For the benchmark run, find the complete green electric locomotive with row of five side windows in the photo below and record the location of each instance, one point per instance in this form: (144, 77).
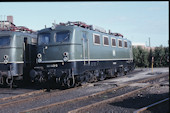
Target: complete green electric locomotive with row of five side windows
(74, 52)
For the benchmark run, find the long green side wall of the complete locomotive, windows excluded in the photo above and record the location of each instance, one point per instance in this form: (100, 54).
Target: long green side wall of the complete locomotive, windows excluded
(91, 56)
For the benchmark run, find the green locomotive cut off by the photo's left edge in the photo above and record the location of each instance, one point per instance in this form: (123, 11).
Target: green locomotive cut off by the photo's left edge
(17, 54)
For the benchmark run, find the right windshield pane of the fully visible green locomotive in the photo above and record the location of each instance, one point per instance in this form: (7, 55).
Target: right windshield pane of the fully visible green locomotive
(62, 36)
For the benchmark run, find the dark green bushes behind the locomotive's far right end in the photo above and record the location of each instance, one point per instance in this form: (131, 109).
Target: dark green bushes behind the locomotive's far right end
(143, 57)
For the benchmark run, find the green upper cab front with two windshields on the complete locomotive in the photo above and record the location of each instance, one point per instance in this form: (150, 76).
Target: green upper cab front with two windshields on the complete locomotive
(54, 42)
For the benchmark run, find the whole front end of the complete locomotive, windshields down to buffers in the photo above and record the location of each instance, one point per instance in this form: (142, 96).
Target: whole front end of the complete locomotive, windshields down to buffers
(53, 53)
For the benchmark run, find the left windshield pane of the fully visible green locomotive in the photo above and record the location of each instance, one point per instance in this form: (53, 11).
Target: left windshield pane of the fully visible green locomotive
(43, 38)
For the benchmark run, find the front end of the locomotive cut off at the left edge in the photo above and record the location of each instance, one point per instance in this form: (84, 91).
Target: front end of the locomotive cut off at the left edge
(10, 61)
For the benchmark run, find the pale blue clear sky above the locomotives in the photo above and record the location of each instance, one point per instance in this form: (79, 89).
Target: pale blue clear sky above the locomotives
(137, 21)
